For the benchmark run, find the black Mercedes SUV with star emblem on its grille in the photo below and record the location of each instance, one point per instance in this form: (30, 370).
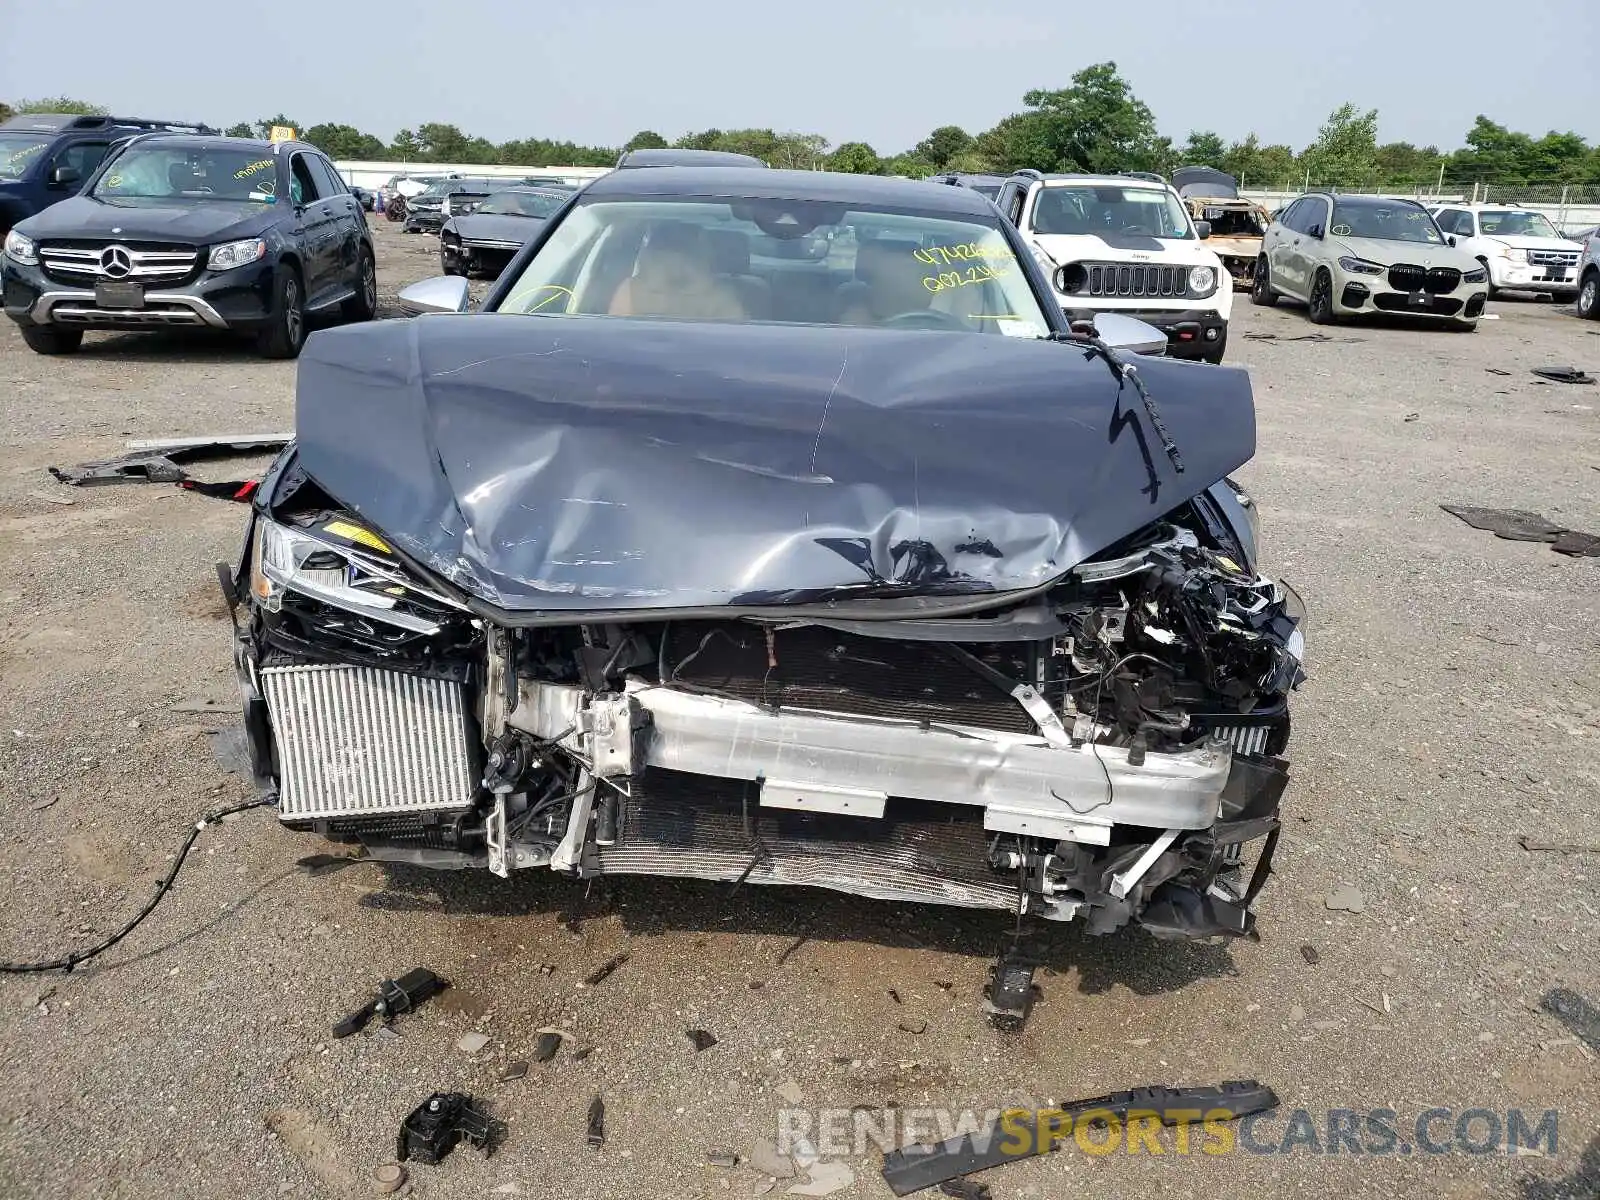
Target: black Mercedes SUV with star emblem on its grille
(194, 231)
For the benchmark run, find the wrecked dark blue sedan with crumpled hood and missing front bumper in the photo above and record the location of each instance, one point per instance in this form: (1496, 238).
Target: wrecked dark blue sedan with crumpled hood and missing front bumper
(852, 567)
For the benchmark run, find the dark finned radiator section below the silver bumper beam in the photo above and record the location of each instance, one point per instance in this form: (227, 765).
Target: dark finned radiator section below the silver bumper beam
(700, 828)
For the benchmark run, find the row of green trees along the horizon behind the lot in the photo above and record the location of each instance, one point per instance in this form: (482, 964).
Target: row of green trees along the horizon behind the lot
(1095, 124)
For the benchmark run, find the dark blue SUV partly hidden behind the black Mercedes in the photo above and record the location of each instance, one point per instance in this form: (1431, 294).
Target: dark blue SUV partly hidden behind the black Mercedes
(47, 156)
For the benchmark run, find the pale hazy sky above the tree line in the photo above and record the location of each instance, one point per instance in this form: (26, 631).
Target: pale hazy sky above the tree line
(849, 70)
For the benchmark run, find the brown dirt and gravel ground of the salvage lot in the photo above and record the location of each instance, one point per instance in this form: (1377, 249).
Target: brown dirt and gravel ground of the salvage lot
(1454, 706)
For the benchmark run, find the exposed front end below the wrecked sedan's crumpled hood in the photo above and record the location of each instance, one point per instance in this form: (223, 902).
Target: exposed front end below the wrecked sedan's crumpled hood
(1106, 750)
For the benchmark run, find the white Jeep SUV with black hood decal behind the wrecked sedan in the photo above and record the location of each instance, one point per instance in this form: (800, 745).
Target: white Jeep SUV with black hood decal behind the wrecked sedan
(1126, 244)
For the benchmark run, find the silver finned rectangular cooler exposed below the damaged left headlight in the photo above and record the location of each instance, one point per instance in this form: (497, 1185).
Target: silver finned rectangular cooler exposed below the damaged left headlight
(356, 742)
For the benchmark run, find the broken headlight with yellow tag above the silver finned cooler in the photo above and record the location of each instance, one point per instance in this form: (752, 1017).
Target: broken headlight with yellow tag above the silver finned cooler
(287, 559)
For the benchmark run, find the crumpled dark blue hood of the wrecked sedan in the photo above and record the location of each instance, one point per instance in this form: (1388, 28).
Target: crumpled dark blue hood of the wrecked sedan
(591, 465)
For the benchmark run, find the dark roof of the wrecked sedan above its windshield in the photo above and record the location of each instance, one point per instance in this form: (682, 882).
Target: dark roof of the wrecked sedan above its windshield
(772, 185)
